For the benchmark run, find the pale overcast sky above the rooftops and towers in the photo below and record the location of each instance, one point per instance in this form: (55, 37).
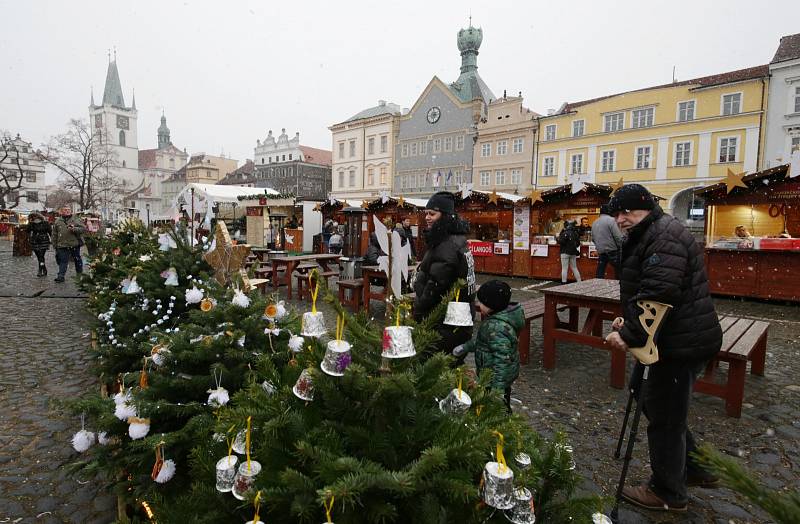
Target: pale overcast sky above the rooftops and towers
(227, 72)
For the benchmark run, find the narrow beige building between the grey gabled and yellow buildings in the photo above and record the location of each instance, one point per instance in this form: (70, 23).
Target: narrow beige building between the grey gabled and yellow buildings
(503, 157)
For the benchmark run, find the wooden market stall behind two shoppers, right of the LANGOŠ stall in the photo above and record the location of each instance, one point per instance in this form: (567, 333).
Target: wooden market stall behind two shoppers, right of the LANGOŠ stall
(546, 222)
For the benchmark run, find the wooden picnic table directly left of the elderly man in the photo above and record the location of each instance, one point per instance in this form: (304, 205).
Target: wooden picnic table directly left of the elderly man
(601, 298)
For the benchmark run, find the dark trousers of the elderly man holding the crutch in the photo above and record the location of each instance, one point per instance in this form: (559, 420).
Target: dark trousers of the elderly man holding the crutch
(666, 406)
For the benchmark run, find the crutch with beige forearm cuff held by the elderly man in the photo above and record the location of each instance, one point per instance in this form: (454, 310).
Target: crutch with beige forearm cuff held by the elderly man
(651, 318)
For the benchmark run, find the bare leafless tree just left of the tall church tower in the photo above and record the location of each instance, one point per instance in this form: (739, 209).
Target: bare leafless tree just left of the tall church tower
(85, 163)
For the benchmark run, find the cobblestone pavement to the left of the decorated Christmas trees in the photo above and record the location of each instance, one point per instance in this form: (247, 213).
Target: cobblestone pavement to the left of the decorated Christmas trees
(43, 349)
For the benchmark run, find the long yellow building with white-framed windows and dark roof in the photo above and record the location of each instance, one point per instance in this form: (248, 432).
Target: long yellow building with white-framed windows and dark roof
(670, 138)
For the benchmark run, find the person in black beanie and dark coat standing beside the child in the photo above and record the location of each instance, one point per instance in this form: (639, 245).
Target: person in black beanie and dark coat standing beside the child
(446, 260)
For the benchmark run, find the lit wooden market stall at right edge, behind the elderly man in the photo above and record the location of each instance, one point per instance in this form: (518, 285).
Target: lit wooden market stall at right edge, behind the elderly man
(753, 236)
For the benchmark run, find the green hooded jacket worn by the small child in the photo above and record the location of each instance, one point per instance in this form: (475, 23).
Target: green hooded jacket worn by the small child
(495, 345)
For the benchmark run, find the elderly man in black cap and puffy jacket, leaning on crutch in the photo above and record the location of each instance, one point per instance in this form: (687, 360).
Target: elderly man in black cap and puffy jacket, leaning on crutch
(662, 262)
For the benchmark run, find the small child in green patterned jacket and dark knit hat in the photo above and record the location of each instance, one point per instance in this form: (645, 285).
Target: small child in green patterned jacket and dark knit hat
(495, 345)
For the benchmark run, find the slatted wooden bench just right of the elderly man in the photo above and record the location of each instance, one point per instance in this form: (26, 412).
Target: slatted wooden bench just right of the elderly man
(743, 340)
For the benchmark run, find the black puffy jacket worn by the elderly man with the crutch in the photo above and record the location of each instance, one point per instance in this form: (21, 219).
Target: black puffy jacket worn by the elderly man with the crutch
(661, 261)
